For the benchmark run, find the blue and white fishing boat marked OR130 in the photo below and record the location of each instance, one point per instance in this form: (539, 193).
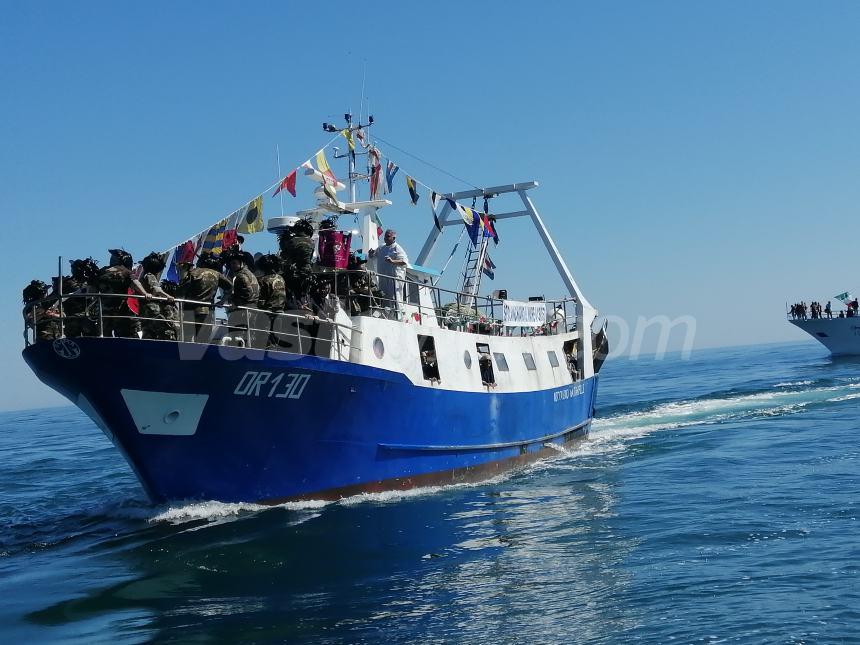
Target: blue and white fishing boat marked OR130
(382, 391)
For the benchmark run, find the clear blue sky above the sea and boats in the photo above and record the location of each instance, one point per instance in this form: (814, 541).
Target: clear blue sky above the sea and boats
(694, 158)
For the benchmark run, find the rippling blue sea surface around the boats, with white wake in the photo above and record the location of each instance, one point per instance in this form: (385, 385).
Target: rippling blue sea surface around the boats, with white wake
(716, 500)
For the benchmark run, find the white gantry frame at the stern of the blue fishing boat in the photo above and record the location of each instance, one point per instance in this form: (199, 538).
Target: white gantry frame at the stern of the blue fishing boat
(585, 313)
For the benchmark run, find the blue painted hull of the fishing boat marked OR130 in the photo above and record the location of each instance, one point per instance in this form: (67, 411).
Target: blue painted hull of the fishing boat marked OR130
(279, 426)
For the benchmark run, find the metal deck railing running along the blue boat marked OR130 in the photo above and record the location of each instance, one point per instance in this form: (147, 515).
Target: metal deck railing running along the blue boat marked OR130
(299, 331)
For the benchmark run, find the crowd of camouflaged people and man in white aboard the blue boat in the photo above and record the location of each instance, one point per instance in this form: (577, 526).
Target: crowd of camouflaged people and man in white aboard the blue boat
(140, 302)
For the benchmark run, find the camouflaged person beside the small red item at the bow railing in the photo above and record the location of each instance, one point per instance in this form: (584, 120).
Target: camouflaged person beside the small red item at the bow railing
(118, 318)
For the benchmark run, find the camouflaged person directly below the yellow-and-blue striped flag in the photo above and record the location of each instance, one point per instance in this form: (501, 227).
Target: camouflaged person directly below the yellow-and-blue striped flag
(200, 284)
